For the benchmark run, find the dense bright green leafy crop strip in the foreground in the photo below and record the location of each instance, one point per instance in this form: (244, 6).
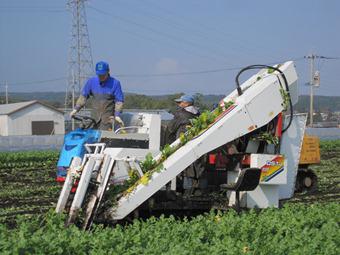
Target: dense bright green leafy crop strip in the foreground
(294, 229)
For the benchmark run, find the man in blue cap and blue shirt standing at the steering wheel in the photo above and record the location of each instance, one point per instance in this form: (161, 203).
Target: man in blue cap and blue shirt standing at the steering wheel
(107, 94)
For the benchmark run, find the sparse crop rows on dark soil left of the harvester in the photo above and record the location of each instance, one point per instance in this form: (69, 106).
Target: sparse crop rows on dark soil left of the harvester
(28, 186)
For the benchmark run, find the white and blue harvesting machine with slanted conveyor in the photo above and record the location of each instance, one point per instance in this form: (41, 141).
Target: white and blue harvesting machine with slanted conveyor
(119, 175)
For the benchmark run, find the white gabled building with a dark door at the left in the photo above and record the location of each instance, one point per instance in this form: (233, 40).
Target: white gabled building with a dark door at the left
(30, 118)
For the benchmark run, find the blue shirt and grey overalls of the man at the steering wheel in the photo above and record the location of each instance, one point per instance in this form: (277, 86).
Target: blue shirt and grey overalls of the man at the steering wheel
(105, 96)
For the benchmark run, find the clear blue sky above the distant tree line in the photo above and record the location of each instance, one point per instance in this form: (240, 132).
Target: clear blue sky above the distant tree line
(160, 37)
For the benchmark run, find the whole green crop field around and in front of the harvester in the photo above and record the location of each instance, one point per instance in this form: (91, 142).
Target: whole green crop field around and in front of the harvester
(307, 224)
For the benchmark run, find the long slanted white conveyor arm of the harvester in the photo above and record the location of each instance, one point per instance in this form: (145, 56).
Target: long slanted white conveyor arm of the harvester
(260, 102)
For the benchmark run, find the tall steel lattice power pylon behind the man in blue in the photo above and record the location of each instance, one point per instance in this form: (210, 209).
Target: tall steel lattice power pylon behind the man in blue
(80, 64)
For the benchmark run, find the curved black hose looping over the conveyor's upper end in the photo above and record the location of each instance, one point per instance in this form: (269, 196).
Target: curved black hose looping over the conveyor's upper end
(252, 67)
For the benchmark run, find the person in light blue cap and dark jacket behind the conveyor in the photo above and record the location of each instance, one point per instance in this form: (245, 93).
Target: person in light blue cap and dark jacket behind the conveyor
(185, 111)
